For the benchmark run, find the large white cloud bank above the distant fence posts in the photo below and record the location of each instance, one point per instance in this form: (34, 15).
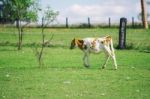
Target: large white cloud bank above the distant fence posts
(100, 12)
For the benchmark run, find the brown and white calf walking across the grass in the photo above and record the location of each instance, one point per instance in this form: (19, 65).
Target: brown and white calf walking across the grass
(95, 45)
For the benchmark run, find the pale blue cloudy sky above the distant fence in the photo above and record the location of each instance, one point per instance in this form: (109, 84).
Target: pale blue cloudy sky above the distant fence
(99, 11)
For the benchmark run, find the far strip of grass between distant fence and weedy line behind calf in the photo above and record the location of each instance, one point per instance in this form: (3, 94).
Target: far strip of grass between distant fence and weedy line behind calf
(136, 38)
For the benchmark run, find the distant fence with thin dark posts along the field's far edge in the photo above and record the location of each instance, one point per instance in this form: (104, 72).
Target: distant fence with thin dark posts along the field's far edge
(88, 22)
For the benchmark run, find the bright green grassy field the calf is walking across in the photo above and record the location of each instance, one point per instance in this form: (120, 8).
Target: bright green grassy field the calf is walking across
(64, 76)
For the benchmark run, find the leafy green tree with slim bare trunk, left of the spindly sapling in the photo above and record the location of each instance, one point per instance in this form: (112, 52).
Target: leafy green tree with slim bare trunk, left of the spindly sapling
(21, 11)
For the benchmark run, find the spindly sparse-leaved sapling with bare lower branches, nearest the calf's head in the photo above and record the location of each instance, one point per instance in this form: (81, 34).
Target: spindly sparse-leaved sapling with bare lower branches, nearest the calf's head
(49, 16)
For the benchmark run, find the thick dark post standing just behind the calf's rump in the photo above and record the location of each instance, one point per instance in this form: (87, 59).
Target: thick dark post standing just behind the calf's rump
(122, 33)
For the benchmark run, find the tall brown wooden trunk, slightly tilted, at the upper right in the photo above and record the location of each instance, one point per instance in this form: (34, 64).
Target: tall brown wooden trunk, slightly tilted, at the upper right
(144, 14)
